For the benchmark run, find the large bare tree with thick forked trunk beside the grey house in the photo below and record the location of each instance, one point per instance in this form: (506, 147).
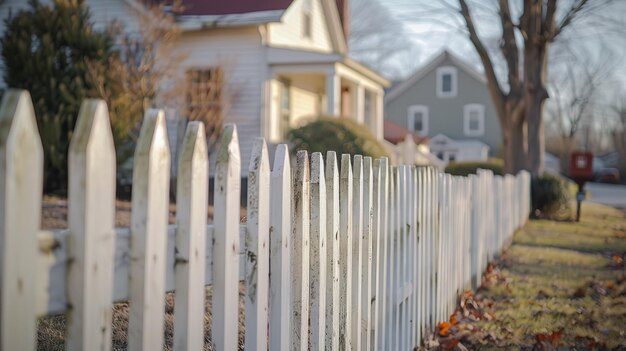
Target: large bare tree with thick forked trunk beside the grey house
(526, 34)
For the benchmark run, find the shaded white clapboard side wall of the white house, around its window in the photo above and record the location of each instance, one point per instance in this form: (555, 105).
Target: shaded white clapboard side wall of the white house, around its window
(241, 56)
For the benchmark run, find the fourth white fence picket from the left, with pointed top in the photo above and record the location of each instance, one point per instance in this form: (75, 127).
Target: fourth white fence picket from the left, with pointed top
(191, 208)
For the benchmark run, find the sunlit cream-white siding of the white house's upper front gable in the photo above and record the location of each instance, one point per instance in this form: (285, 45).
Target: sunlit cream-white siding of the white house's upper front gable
(288, 33)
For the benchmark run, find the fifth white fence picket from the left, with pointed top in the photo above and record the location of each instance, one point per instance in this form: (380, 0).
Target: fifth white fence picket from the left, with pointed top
(226, 242)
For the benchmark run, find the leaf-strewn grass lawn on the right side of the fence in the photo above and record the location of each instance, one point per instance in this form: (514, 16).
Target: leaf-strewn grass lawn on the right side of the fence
(562, 283)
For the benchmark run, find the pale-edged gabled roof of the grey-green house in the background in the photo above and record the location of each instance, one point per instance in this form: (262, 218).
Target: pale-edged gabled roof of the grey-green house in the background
(396, 91)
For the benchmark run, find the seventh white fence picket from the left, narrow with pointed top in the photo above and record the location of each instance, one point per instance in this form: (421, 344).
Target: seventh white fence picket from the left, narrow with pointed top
(280, 262)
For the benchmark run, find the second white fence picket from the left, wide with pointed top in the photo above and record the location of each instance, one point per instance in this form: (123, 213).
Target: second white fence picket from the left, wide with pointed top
(92, 224)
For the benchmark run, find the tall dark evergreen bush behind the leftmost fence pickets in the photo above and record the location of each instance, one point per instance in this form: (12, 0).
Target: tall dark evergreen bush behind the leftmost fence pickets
(53, 52)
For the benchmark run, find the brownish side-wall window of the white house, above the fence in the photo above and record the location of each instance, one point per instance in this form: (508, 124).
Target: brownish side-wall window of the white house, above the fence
(203, 96)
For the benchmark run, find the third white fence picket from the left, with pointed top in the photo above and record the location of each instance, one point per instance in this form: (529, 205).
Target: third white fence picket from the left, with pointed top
(149, 220)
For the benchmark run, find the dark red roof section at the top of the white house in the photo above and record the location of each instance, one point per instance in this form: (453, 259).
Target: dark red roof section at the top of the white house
(225, 7)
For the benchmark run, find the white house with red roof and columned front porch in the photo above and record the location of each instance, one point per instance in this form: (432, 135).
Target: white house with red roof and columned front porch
(279, 61)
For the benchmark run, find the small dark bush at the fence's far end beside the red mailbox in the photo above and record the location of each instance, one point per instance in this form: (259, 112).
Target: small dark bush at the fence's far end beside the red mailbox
(550, 197)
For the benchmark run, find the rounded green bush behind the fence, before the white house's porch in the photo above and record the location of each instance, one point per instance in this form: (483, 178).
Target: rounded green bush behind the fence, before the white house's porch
(341, 135)
